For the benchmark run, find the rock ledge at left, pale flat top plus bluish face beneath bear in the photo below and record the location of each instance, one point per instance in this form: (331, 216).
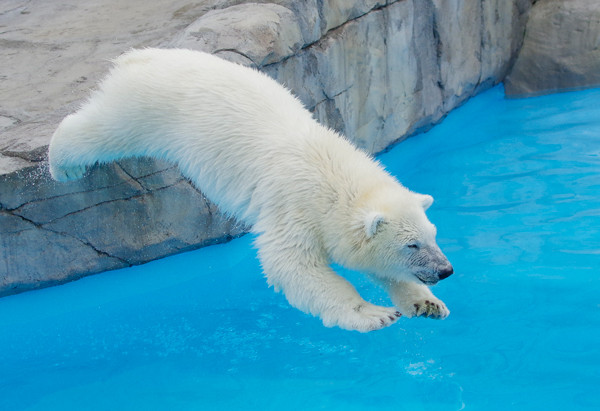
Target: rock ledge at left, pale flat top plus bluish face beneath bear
(52, 54)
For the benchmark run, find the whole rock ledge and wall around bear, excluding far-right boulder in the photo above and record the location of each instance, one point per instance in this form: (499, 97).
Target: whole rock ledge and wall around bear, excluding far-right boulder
(377, 71)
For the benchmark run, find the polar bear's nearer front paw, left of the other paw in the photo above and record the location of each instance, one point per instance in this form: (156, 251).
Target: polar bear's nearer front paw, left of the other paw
(364, 317)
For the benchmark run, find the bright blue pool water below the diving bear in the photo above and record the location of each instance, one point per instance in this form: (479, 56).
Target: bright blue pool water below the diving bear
(517, 189)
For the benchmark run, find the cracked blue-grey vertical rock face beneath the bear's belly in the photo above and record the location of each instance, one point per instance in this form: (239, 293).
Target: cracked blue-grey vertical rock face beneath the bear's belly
(119, 215)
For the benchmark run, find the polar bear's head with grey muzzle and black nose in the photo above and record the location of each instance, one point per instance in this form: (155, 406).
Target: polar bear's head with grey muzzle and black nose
(394, 240)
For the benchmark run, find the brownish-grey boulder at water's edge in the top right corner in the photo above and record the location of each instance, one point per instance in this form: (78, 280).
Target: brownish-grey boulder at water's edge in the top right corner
(561, 50)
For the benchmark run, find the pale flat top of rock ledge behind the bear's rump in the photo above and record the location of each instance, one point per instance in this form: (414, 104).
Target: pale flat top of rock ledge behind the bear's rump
(53, 52)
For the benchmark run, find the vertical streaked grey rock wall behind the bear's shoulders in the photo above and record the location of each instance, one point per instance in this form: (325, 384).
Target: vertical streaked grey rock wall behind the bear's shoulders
(399, 69)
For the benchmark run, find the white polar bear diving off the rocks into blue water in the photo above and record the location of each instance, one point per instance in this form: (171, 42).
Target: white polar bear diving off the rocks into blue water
(311, 197)
